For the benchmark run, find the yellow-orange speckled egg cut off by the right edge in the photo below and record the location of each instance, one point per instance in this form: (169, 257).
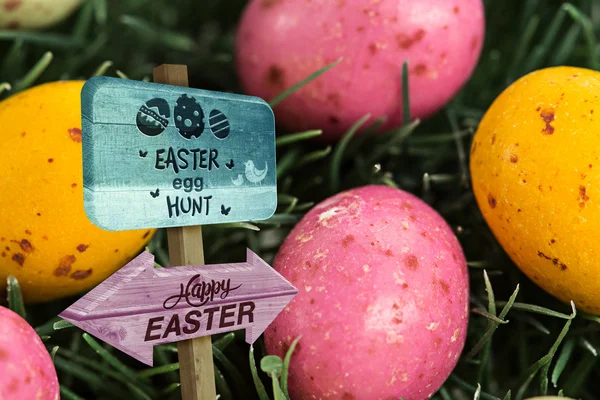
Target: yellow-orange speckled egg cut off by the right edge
(535, 166)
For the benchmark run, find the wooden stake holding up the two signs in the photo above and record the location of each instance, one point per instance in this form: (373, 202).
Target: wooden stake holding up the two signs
(185, 248)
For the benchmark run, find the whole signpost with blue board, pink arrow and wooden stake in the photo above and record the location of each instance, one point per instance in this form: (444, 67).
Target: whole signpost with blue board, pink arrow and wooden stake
(162, 155)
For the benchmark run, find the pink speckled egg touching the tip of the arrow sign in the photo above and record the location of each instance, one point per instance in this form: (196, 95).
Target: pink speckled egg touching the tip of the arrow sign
(383, 301)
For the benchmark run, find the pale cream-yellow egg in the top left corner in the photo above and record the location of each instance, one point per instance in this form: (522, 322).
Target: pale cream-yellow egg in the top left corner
(34, 14)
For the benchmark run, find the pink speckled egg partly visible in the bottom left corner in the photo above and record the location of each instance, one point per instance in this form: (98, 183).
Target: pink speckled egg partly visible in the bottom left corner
(26, 369)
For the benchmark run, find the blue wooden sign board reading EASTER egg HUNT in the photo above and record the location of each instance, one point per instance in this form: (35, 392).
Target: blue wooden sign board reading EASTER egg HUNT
(157, 156)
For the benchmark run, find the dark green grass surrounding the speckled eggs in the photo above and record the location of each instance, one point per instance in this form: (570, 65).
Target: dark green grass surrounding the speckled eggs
(543, 348)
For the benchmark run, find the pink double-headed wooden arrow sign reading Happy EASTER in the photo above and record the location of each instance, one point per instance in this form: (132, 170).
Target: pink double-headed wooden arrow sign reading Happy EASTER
(140, 306)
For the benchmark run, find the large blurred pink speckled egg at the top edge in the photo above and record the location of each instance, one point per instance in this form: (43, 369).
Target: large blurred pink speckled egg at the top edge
(281, 42)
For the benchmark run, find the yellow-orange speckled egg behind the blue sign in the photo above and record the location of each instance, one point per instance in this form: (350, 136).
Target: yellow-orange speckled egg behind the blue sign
(46, 240)
